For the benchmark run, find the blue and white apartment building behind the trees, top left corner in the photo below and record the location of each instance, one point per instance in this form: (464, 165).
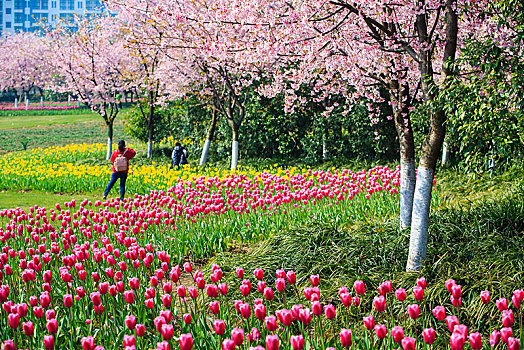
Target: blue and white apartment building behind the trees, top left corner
(25, 15)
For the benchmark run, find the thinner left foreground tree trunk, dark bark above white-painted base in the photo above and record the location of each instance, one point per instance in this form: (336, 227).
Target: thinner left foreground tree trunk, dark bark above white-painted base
(402, 120)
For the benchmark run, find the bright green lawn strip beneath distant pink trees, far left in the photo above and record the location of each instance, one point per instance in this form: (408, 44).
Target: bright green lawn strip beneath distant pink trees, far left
(32, 121)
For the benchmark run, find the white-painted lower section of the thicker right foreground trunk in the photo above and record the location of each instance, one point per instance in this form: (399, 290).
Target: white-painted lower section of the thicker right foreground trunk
(420, 219)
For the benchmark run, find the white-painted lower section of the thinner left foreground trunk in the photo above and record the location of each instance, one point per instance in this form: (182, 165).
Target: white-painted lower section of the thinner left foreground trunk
(407, 191)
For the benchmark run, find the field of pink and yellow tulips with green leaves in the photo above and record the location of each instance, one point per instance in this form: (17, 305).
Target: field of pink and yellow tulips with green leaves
(122, 275)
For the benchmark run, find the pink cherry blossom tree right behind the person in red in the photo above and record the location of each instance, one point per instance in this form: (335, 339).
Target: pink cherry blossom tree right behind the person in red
(92, 63)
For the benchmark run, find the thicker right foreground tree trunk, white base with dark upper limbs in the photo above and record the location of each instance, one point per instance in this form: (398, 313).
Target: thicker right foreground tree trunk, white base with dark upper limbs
(434, 140)
